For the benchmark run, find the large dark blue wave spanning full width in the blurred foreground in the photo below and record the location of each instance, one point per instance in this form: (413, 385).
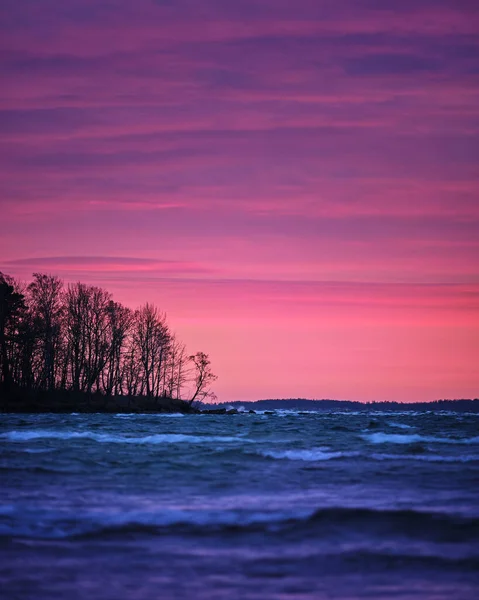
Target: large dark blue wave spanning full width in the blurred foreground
(417, 525)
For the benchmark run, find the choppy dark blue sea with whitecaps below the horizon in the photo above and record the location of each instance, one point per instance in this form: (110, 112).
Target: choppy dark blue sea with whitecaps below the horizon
(287, 505)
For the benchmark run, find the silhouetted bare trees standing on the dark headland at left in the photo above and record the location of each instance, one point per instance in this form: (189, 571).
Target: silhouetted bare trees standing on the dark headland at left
(76, 337)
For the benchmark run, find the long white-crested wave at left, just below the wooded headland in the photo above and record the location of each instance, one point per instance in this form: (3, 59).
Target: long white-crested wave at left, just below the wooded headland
(159, 438)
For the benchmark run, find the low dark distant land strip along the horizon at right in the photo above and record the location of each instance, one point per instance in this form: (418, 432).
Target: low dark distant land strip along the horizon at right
(459, 405)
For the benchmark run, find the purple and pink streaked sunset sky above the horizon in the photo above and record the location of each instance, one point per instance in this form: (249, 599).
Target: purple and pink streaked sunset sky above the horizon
(294, 183)
